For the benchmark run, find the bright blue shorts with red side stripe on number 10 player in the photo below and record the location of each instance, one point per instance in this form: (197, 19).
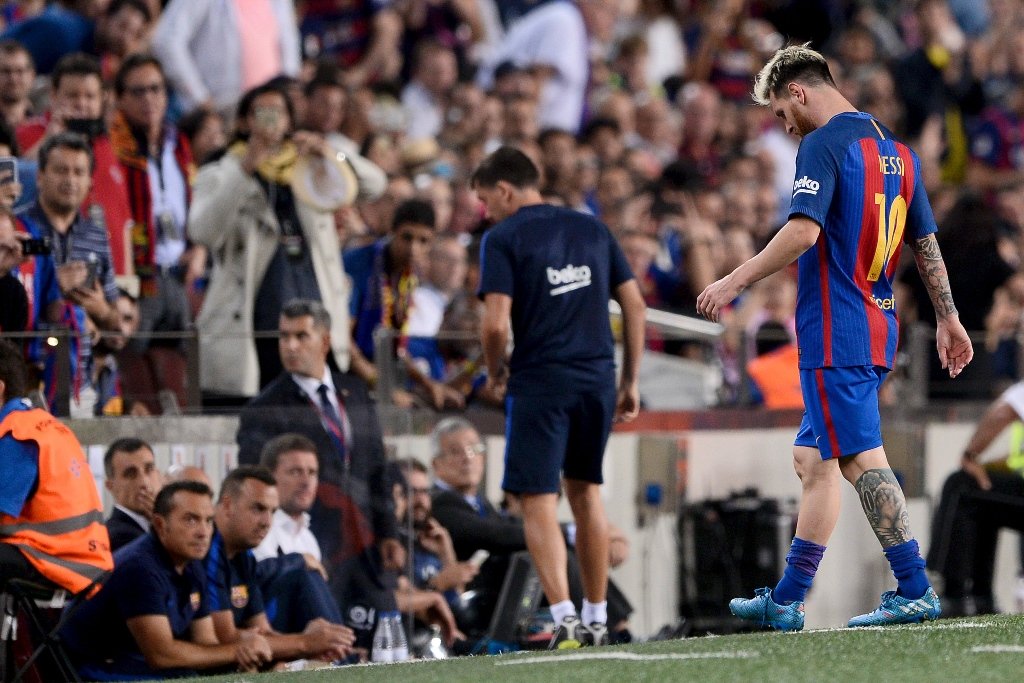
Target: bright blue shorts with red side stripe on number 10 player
(841, 410)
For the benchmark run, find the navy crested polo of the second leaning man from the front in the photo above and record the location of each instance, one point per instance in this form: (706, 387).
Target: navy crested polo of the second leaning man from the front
(233, 583)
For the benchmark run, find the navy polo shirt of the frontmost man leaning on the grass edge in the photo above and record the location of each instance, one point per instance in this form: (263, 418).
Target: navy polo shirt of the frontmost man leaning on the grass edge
(144, 583)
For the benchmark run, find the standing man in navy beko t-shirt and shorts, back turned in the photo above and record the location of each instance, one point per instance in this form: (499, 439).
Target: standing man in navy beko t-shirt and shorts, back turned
(551, 271)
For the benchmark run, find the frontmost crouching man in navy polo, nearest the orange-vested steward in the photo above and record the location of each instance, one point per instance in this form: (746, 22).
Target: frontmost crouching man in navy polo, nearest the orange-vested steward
(152, 618)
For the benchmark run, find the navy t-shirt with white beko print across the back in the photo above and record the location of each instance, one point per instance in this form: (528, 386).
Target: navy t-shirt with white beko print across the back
(561, 268)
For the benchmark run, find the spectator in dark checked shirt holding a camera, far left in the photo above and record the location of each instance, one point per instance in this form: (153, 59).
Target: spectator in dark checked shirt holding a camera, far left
(81, 253)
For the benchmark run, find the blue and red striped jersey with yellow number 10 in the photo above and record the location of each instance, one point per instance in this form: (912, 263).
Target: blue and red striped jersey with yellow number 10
(864, 188)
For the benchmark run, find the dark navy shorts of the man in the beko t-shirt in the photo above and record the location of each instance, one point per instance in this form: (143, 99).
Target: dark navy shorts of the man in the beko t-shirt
(548, 436)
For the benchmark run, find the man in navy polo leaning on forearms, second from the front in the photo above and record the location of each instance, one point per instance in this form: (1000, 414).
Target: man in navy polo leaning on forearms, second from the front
(248, 500)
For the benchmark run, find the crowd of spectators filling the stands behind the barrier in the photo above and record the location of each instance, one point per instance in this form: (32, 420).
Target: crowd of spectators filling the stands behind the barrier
(198, 114)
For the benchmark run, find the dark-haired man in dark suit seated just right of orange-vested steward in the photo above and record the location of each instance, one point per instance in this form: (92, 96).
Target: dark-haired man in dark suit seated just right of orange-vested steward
(134, 481)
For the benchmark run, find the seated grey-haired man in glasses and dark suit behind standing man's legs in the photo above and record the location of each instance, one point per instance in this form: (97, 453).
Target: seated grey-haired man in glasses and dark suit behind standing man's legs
(477, 525)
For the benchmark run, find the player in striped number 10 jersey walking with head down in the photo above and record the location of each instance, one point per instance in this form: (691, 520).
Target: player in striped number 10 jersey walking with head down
(858, 190)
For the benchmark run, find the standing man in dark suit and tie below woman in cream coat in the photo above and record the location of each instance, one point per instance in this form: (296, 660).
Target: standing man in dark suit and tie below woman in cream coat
(354, 516)
